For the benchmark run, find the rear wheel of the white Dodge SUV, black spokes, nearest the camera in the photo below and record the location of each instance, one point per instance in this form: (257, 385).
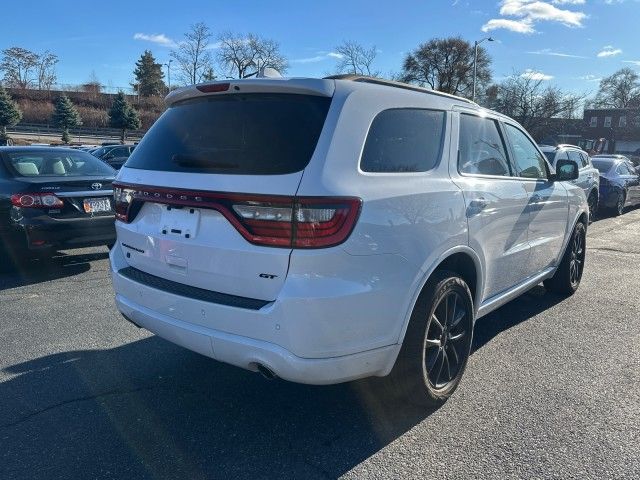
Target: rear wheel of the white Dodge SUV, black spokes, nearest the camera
(419, 375)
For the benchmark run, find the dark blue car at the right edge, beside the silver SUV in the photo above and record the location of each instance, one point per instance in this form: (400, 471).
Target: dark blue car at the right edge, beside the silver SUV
(619, 182)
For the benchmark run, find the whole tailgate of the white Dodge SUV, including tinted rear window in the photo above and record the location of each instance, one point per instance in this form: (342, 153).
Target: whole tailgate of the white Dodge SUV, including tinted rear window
(206, 197)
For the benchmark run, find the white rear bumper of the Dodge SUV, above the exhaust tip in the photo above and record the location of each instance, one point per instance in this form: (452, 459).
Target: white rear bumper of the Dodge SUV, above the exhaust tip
(304, 336)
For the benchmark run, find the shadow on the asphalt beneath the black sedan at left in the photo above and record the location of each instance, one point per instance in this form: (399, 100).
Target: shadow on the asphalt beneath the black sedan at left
(60, 265)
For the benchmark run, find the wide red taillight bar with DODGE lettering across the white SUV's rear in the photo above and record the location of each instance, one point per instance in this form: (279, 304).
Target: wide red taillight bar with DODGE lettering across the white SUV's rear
(277, 221)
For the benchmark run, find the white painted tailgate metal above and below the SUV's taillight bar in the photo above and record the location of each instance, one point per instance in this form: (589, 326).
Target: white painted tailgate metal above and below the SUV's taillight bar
(200, 247)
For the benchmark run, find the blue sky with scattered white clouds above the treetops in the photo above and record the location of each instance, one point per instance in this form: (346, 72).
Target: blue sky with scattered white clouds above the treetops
(571, 43)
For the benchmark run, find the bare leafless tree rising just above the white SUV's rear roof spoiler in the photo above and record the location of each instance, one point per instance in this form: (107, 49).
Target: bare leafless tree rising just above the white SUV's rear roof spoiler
(243, 56)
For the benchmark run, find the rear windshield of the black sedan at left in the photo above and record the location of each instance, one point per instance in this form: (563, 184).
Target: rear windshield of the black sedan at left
(55, 163)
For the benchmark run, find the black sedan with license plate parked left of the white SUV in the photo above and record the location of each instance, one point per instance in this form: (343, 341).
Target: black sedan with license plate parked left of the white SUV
(53, 198)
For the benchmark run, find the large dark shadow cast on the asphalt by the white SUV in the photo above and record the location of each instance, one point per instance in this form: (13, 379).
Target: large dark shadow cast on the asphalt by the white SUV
(149, 409)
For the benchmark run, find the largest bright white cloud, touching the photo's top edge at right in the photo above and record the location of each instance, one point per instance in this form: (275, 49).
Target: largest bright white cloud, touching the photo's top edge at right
(530, 12)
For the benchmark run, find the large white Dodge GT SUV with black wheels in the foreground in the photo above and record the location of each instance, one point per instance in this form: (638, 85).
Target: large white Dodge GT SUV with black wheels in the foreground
(324, 230)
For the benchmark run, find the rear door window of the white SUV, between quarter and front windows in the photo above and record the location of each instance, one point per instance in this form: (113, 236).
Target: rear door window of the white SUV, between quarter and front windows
(481, 149)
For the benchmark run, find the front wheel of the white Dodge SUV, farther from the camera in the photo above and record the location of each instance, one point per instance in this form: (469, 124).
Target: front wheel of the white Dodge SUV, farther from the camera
(567, 278)
